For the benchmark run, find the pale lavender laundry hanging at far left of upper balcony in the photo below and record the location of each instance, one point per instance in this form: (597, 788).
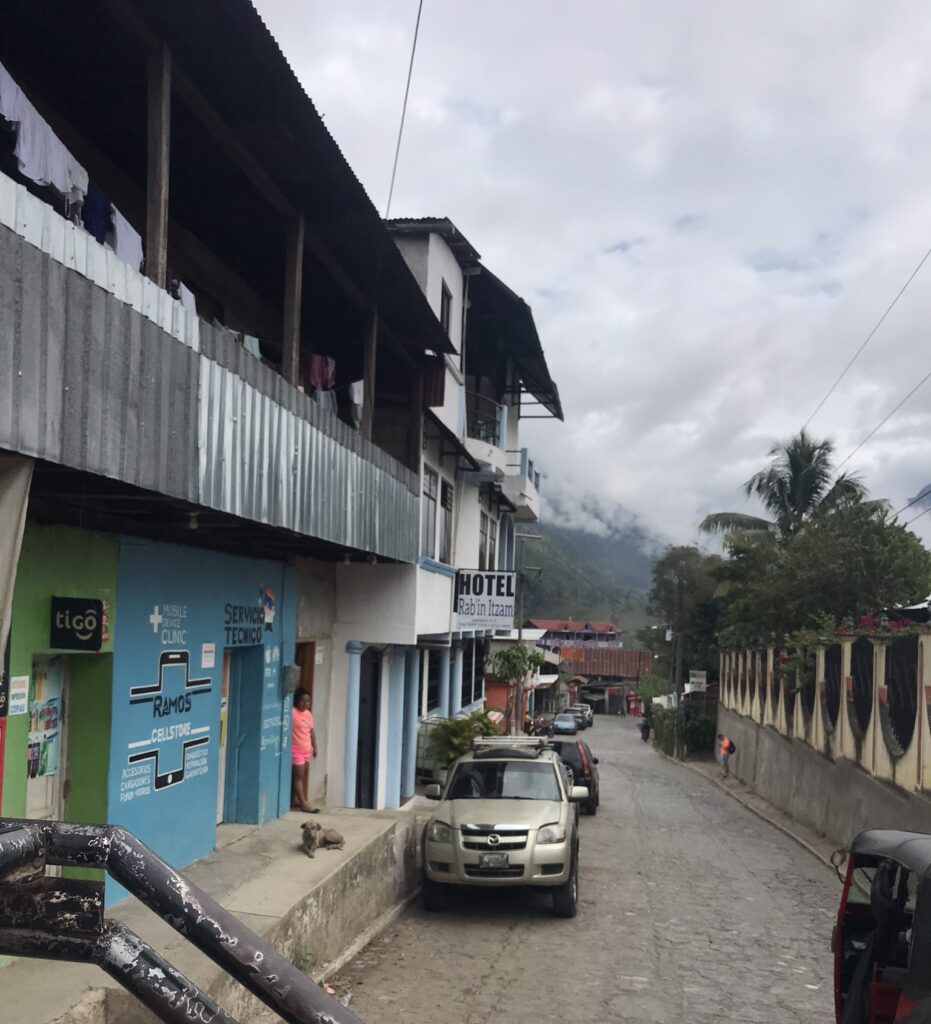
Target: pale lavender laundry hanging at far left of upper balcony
(41, 156)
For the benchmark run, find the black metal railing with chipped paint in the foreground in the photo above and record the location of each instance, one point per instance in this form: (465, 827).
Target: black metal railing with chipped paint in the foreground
(63, 919)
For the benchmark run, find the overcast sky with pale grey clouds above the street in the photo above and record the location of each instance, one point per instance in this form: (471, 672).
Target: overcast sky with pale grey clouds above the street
(707, 204)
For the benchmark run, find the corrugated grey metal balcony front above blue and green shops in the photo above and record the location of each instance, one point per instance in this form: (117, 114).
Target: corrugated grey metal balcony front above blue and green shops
(105, 374)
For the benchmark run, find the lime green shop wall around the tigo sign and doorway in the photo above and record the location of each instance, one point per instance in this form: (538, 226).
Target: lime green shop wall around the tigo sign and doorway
(61, 562)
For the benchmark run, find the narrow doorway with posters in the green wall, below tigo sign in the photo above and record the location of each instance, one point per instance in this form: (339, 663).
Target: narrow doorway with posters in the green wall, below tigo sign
(48, 749)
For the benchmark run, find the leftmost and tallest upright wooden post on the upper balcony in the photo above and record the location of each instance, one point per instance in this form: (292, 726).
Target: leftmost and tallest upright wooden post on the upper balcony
(157, 178)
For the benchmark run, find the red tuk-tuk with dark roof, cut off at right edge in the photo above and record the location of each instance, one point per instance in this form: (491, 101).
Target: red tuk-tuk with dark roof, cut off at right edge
(882, 941)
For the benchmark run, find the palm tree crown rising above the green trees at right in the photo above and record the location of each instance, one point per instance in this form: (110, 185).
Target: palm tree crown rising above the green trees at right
(798, 484)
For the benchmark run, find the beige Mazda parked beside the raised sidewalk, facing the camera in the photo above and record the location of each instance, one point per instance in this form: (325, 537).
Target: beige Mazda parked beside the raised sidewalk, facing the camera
(505, 780)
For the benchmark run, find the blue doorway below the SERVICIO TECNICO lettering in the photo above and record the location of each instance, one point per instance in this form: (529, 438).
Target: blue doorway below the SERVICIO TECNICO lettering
(238, 797)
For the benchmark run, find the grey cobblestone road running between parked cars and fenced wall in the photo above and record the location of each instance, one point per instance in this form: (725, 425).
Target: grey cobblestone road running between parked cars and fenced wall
(693, 911)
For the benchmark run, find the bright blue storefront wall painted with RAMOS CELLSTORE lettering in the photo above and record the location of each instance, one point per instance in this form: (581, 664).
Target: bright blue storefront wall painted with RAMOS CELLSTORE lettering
(181, 610)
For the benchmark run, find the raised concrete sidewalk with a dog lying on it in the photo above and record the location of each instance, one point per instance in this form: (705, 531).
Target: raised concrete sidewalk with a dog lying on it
(312, 910)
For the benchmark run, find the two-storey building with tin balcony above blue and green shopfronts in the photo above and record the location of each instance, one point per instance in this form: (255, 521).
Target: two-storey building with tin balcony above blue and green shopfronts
(213, 362)
